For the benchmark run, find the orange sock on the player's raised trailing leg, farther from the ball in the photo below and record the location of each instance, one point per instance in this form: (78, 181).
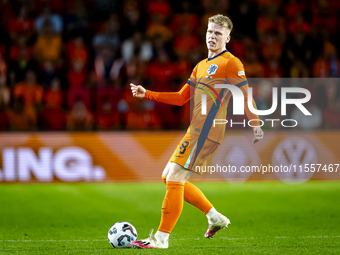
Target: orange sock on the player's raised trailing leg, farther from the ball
(195, 196)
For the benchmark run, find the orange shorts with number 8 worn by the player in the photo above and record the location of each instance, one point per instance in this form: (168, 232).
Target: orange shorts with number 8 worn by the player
(193, 151)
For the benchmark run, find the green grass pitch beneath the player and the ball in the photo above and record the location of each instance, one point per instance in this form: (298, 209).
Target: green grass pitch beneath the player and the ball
(266, 217)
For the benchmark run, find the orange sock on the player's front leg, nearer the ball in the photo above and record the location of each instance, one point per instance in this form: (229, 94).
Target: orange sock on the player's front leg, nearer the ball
(172, 206)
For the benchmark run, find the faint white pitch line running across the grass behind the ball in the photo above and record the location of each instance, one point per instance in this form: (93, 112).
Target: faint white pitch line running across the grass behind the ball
(179, 239)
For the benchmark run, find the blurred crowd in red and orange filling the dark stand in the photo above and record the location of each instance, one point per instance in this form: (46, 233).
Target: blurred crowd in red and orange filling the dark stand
(67, 64)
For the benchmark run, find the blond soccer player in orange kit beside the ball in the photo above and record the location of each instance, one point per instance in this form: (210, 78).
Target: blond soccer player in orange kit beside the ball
(202, 137)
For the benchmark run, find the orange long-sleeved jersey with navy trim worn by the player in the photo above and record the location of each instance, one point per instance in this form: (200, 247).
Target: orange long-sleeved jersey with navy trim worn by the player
(221, 69)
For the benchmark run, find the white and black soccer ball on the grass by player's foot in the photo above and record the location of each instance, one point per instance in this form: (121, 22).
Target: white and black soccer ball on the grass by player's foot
(121, 234)
